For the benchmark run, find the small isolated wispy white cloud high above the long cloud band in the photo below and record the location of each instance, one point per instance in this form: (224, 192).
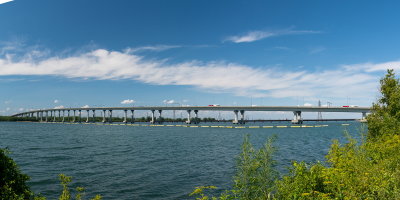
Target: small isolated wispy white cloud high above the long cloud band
(252, 36)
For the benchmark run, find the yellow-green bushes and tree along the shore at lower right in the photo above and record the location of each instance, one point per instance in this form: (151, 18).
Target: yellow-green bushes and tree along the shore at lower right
(366, 169)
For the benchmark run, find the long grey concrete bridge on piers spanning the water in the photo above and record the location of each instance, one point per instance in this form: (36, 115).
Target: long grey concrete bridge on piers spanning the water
(50, 114)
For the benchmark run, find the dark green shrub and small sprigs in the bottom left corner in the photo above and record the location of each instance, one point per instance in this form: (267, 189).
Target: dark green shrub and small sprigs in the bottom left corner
(13, 184)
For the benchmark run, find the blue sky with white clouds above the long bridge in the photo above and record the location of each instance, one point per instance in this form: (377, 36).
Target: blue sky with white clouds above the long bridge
(99, 53)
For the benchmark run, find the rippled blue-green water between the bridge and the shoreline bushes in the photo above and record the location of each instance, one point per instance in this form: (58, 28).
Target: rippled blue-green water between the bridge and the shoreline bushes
(126, 162)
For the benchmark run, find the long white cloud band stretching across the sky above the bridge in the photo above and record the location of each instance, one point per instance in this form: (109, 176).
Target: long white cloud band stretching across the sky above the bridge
(358, 81)
